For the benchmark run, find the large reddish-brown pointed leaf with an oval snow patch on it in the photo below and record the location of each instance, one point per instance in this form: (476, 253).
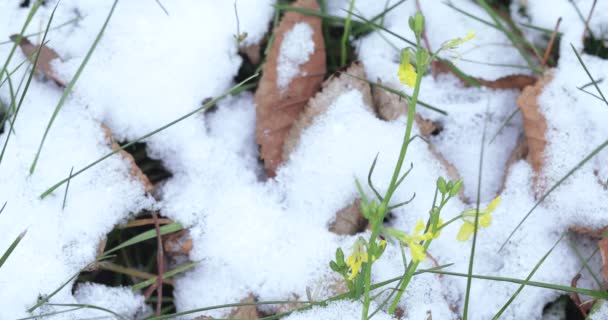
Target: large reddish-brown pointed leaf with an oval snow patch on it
(277, 109)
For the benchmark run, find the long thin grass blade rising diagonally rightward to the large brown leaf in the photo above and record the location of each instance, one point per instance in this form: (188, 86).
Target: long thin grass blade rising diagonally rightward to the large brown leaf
(204, 107)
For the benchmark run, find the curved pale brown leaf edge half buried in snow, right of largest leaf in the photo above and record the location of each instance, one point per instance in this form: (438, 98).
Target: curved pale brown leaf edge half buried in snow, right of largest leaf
(332, 88)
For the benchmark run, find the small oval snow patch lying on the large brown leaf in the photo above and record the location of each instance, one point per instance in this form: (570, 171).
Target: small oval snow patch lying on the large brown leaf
(296, 48)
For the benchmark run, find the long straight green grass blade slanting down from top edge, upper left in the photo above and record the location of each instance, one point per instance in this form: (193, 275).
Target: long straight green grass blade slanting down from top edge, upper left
(70, 86)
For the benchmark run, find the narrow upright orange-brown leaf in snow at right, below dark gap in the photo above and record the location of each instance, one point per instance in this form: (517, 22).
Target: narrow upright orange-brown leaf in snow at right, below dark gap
(535, 124)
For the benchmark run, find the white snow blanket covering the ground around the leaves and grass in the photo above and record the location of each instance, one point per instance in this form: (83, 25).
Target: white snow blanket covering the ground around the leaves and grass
(270, 238)
